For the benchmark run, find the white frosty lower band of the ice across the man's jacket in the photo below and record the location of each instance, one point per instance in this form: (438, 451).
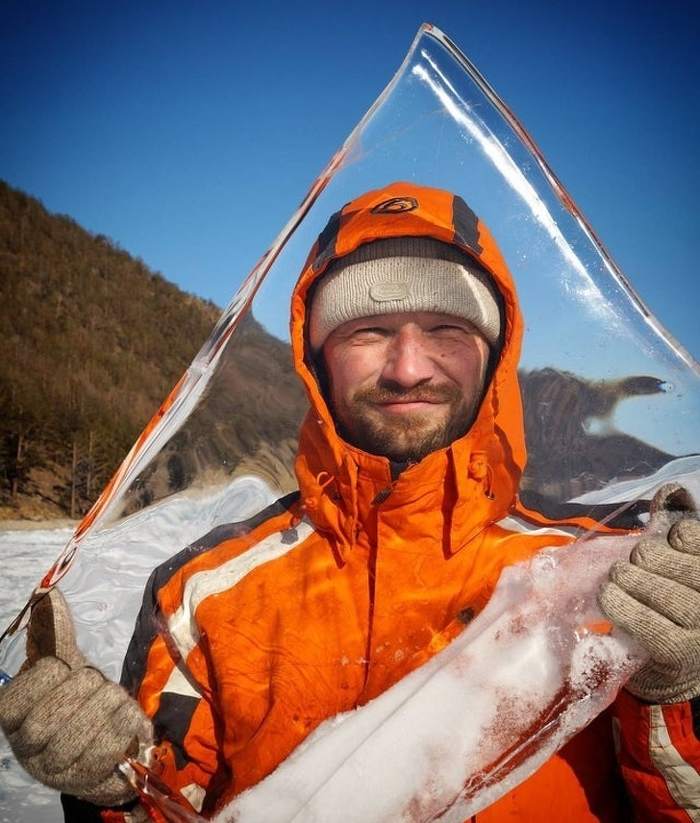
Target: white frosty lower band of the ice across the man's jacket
(534, 668)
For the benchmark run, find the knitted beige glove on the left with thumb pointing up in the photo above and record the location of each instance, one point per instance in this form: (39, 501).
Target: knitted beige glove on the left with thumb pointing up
(69, 726)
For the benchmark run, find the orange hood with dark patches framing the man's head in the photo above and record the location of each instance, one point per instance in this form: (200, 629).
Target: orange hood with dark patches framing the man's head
(469, 484)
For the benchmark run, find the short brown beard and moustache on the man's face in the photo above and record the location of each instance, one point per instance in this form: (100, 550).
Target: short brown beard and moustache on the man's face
(406, 437)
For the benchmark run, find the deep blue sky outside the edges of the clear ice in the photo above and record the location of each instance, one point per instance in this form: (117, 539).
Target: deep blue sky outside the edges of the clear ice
(188, 132)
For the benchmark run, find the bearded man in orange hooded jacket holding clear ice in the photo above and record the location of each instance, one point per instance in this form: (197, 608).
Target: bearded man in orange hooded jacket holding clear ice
(406, 334)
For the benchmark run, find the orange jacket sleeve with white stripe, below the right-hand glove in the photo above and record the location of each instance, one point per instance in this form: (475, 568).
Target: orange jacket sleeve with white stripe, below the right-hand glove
(659, 756)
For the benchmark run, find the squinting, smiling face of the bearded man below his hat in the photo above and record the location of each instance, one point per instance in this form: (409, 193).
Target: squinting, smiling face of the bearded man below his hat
(404, 385)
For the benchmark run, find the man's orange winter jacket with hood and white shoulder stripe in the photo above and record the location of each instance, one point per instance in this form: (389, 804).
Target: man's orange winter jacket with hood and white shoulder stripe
(251, 637)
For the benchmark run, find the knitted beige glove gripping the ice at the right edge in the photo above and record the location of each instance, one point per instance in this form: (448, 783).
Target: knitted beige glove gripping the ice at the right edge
(656, 599)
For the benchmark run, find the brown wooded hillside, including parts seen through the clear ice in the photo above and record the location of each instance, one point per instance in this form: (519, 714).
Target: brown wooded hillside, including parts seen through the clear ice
(91, 341)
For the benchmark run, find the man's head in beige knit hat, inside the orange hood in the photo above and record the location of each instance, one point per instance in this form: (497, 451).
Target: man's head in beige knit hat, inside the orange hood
(404, 328)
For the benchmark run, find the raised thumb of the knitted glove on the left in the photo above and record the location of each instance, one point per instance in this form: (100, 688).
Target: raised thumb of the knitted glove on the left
(51, 633)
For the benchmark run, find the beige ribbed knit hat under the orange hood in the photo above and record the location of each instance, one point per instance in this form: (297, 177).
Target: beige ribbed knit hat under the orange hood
(404, 274)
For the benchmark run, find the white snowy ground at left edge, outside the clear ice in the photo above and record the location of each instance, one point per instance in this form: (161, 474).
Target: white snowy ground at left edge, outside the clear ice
(24, 557)
